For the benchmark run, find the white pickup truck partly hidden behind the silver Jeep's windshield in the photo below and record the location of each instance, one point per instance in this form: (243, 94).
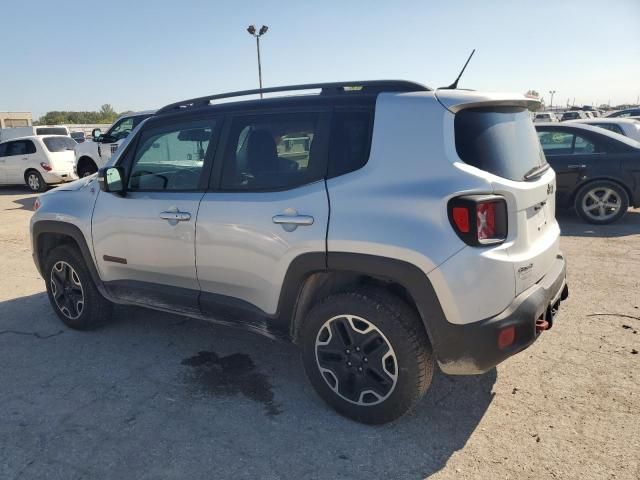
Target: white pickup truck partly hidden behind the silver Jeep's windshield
(94, 154)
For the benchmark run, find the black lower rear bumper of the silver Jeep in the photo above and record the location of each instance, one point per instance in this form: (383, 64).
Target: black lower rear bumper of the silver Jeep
(473, 348)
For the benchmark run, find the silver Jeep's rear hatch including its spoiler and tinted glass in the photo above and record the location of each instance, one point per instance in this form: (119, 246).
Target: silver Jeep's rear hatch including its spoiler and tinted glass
(496, 135)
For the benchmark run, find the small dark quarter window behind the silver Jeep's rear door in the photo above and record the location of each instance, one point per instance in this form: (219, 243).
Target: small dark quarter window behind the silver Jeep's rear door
(350, 142)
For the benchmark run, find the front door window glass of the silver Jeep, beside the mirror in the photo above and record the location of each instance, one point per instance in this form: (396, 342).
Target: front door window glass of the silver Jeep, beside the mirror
(171, 159)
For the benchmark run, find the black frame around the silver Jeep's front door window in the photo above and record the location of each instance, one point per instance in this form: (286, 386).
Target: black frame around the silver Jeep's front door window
(172, 124)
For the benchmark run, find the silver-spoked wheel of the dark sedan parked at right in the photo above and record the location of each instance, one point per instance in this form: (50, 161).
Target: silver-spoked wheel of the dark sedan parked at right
(601, 202)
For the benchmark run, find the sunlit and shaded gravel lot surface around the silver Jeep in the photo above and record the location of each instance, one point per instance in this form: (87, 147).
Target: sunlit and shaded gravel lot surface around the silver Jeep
(153, 395)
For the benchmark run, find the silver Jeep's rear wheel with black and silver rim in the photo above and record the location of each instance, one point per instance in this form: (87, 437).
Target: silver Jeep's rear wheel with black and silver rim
(380, 328)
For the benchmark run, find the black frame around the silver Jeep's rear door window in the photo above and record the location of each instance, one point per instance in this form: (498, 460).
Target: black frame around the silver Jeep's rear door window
(321, 135)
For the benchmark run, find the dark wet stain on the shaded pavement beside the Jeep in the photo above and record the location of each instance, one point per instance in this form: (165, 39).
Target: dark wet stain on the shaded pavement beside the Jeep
(231, 375)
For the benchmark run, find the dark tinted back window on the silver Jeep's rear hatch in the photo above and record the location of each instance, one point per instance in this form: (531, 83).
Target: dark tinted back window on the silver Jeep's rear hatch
(501, 141)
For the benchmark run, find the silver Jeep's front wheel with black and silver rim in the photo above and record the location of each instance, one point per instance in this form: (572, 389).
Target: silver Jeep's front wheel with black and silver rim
(80, 305)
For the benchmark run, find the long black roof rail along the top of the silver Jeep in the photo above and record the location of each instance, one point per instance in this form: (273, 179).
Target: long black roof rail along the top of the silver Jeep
(367, 86)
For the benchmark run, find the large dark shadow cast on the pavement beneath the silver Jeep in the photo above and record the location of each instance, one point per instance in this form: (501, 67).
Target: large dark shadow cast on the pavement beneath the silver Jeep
(163, 396)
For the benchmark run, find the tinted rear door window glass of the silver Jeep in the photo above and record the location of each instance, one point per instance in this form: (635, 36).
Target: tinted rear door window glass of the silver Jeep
(272, 151)
